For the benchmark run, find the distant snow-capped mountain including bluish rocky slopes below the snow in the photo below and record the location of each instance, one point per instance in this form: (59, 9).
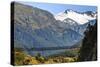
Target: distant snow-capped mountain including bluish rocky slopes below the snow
(77, 21)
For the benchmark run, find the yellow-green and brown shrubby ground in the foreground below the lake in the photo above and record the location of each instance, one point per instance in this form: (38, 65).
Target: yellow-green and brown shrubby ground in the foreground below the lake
(23, 59)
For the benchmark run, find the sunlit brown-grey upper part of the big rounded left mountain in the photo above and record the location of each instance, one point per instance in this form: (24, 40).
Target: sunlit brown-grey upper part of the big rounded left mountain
(34, 17)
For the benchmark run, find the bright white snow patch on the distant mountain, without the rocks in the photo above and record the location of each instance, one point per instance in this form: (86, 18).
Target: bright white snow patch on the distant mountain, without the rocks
(78, 17)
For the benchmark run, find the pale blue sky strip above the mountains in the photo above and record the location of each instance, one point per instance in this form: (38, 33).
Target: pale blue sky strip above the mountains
(57, 8)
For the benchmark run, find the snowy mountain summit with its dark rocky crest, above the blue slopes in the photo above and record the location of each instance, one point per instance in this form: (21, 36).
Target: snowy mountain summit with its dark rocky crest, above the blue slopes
(74, 16)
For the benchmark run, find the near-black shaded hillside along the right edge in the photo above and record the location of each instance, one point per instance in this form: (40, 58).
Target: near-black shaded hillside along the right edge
(88, 51)
